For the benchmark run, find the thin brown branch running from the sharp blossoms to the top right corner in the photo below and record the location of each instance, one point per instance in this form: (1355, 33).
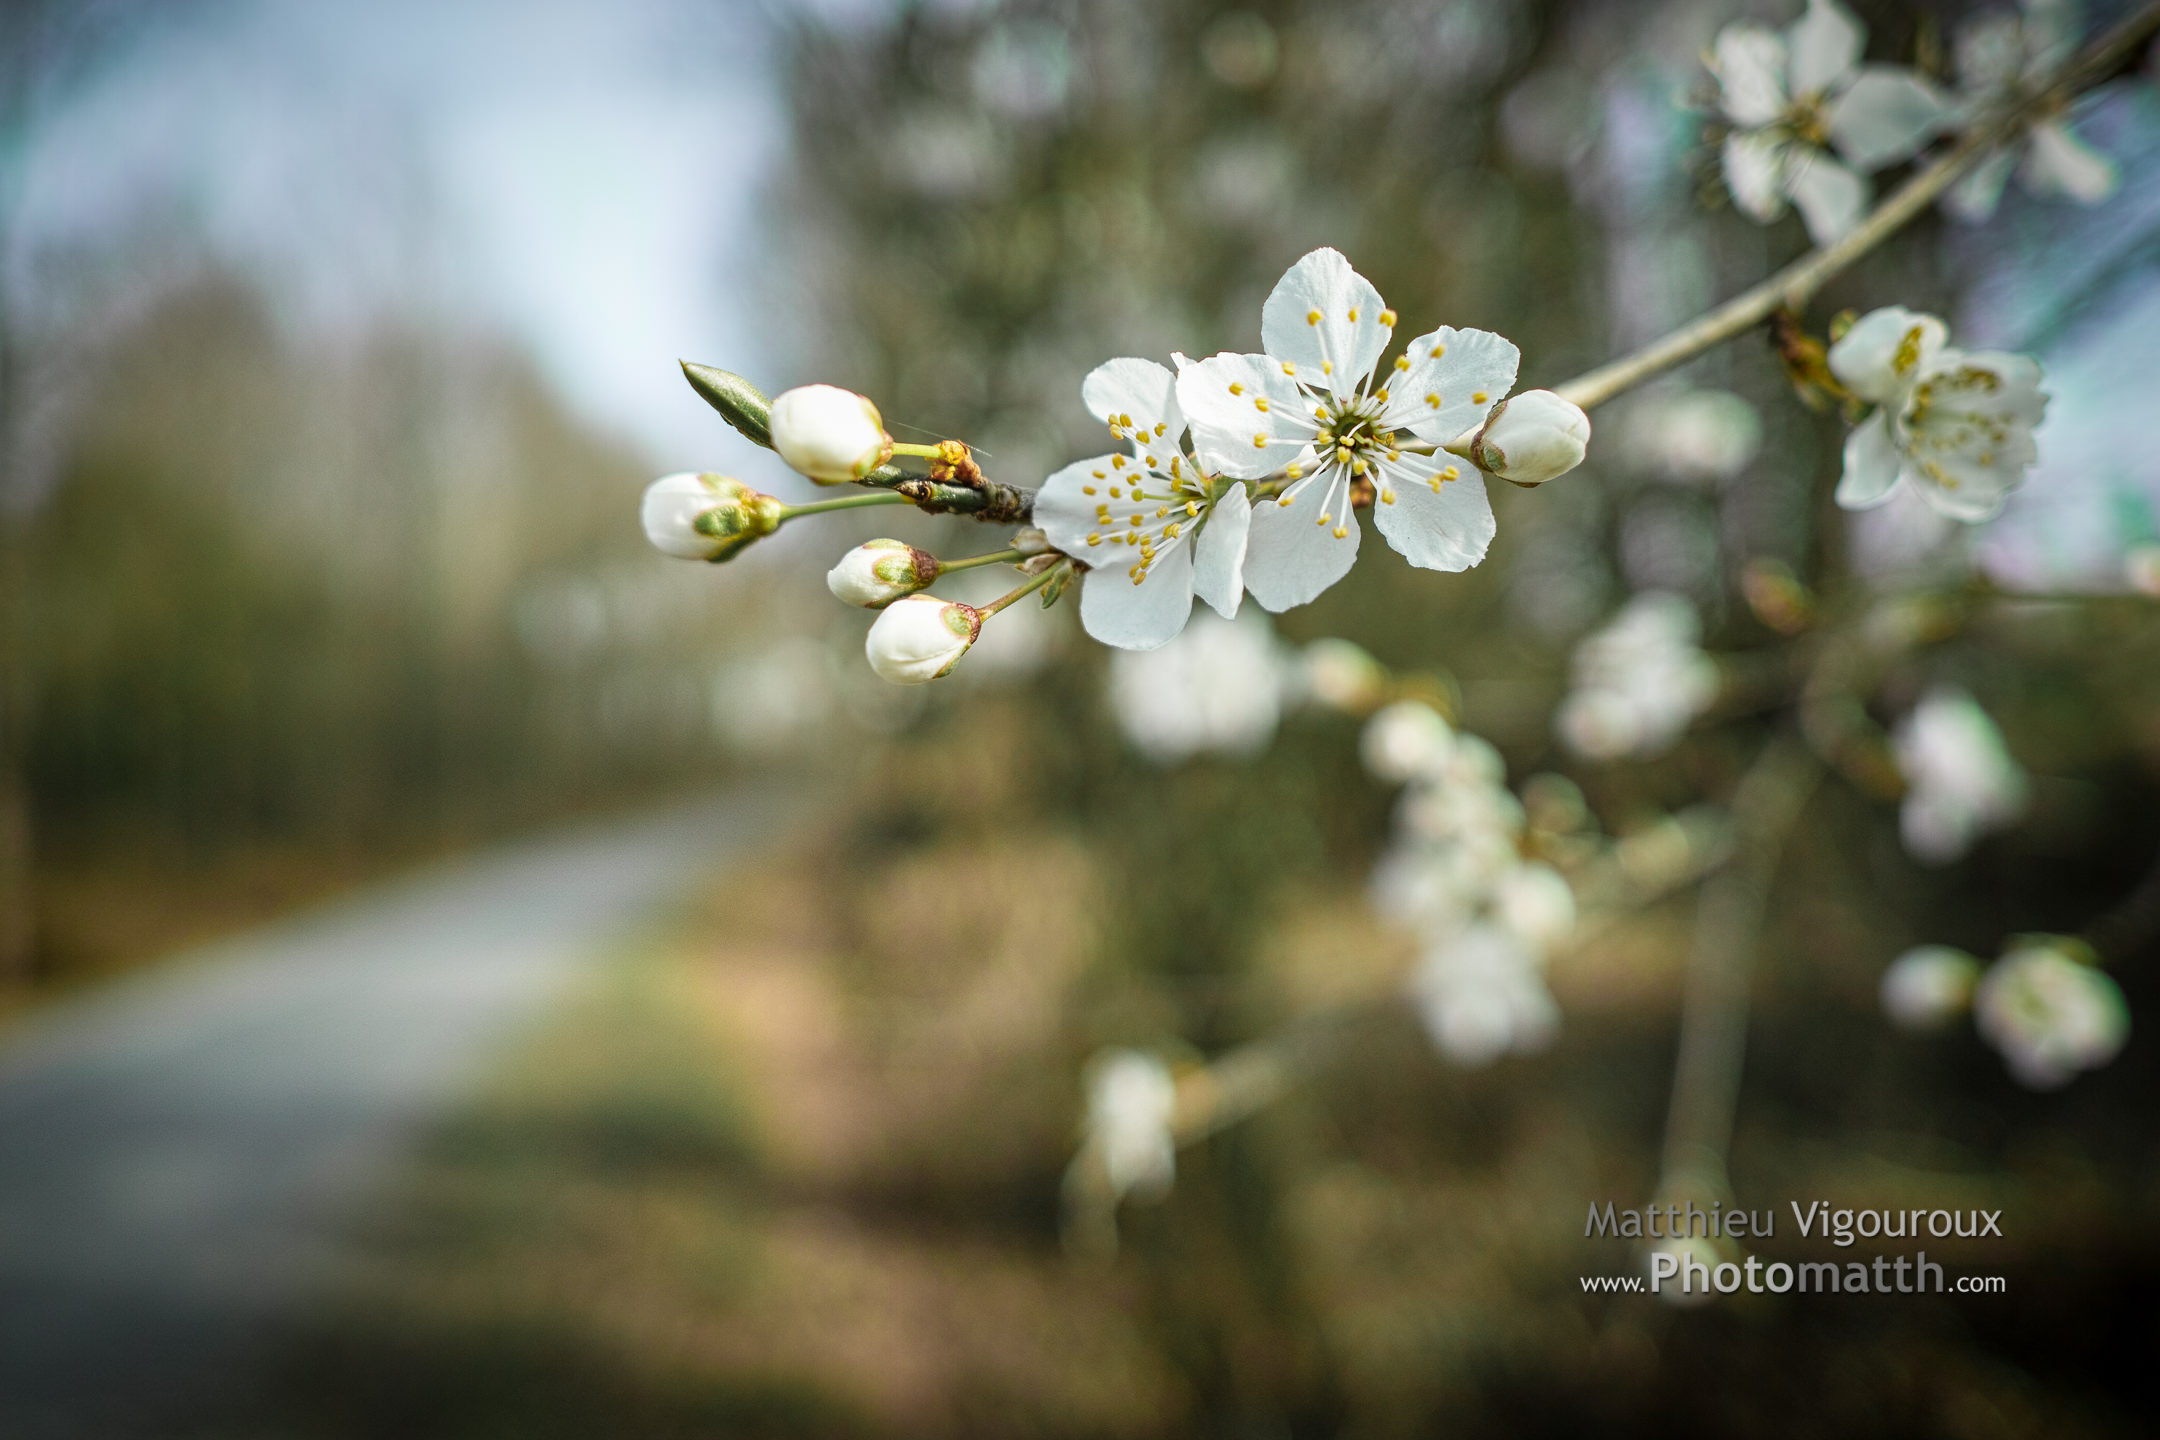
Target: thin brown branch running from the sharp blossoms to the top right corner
(1794, 286)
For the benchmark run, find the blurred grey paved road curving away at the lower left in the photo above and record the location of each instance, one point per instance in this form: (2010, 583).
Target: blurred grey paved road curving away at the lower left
(180, 1150)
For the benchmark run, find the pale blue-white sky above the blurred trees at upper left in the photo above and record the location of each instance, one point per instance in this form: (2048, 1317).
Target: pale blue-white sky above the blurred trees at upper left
(580, 176)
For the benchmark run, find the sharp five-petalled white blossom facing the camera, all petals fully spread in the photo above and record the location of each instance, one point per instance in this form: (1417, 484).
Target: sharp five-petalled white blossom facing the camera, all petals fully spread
(1314, 411)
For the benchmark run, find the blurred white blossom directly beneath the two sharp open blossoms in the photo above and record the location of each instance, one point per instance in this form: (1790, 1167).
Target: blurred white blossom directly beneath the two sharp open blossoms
(1217, 688)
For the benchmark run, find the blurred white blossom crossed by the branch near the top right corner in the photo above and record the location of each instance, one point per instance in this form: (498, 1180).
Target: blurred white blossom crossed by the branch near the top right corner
(2001, 57)
